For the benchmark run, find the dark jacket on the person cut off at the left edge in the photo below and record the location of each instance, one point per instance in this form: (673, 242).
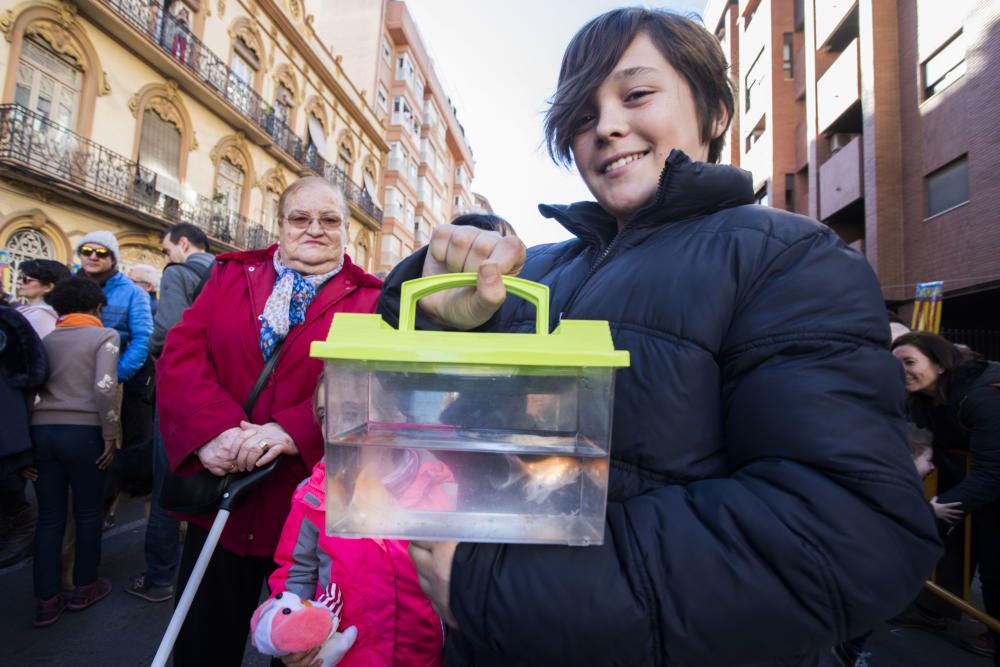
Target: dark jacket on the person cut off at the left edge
(23, 369)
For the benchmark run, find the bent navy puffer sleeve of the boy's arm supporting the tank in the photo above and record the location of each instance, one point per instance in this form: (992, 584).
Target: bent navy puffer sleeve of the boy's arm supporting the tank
(819, 531)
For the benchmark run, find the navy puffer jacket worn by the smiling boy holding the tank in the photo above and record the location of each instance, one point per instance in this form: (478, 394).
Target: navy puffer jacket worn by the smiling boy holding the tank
(762, 503)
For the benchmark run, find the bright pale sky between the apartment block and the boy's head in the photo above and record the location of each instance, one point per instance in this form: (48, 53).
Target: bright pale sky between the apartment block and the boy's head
(499, 62)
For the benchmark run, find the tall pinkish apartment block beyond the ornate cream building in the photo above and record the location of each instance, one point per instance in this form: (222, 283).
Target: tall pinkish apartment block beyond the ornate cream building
(430, 167)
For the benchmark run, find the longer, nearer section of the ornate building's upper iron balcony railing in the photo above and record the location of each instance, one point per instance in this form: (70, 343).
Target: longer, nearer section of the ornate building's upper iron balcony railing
(175, 38)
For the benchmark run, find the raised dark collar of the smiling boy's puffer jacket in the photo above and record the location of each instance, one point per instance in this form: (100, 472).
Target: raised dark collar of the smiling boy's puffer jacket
(687, 190)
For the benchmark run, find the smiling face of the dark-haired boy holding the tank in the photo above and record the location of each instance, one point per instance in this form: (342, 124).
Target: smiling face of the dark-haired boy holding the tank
(642, 111)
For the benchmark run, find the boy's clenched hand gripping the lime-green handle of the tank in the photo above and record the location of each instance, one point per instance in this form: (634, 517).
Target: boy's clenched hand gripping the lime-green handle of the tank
(473, 250)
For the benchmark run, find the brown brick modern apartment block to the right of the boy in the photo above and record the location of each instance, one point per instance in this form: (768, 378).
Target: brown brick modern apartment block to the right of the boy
(878, 118)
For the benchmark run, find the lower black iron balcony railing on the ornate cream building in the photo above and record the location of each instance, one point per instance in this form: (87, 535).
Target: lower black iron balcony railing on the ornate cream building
(30, 139)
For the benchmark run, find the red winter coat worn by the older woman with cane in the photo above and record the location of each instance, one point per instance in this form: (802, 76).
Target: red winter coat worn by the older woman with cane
(210, 362)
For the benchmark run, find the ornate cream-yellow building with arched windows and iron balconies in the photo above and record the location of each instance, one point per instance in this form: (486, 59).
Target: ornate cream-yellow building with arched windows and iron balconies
(133, 115)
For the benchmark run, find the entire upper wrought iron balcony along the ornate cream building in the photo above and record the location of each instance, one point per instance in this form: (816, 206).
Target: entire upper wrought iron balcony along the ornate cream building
(175, 38)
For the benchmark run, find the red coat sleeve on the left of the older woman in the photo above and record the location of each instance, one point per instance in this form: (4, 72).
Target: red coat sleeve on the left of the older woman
(193, 405)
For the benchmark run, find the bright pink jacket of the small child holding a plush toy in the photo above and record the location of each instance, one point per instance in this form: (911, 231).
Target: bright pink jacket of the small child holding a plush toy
(381, 597)
